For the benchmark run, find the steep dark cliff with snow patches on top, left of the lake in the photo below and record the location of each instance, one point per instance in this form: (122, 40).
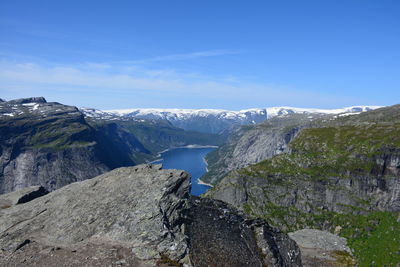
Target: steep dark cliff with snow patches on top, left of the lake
(51, 145)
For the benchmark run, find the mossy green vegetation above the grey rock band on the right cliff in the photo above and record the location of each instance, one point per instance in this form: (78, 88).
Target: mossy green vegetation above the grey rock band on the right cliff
(341, 151)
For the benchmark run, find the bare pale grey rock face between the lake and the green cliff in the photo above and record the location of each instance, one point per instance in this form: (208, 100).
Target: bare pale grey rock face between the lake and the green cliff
(252, 144)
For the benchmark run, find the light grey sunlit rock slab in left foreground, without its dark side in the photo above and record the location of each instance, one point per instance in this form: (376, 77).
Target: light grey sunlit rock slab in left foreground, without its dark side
(133, 206)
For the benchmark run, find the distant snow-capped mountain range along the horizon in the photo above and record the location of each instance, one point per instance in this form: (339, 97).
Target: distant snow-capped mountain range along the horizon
(215, 120)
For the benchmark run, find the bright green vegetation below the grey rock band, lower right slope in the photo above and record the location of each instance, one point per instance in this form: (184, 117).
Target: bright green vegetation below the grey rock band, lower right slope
(374, 237)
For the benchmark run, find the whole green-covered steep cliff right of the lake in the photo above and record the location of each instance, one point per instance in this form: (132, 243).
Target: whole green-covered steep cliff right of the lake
(341, 174)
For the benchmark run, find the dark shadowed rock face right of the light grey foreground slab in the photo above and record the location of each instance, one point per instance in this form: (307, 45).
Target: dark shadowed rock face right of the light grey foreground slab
(221, 236)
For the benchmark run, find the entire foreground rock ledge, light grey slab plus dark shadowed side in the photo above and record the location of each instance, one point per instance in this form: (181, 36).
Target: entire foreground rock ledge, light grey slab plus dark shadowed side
(137, 216)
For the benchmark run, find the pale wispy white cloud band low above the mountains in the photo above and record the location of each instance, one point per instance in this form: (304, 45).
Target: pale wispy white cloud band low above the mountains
(110, 85)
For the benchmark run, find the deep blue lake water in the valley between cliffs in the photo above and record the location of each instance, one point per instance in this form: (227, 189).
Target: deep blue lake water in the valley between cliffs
(190, 160)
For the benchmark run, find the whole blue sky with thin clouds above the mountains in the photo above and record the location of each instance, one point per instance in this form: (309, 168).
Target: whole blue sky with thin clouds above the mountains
(202, 54)
